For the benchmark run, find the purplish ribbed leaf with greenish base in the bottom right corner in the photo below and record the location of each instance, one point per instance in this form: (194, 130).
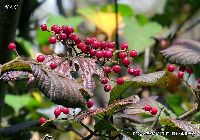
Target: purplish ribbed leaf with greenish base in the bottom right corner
(183, 125)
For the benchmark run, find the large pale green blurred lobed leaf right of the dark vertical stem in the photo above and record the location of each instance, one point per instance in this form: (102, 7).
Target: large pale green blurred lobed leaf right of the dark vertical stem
(139, 36)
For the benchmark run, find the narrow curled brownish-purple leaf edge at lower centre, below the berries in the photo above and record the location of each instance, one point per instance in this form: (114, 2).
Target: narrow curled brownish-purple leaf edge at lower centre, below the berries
(106, 112)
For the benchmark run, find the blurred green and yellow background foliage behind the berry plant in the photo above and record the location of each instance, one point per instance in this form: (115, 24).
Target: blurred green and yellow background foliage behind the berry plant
(143, 24)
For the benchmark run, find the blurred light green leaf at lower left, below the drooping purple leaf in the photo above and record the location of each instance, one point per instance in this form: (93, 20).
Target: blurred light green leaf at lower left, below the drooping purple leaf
(17, 101)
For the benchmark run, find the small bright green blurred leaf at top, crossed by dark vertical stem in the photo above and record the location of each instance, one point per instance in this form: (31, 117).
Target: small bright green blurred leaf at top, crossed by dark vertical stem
(123, 9)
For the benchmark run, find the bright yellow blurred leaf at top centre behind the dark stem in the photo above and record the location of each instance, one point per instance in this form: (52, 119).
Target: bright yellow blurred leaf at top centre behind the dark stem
(104, 21)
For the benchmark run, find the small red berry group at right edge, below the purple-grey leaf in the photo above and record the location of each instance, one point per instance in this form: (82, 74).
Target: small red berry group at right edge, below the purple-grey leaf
(181, 71)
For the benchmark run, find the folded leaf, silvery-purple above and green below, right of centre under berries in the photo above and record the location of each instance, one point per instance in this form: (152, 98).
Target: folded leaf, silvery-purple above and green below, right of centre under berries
(156, 78)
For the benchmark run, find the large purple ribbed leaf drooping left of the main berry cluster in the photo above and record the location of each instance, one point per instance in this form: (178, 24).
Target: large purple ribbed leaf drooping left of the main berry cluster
(58, 88)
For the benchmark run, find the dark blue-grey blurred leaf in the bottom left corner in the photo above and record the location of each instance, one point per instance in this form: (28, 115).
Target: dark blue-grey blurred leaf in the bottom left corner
(14, 129)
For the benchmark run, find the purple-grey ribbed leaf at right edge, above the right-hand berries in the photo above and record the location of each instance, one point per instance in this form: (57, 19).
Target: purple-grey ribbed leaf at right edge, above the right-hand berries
(183, 52)
